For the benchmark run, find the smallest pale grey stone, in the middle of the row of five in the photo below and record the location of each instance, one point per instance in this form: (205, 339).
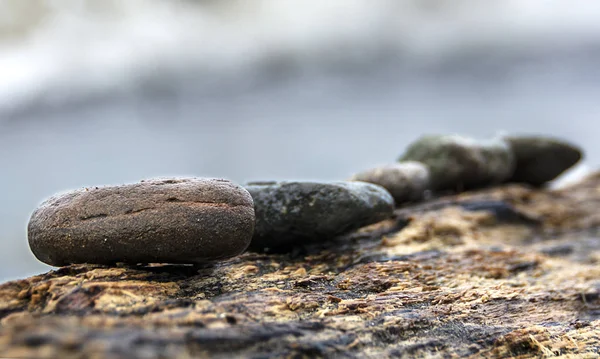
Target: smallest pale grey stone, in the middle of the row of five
(406, 181)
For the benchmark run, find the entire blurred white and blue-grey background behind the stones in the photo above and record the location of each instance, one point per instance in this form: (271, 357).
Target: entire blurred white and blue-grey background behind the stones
(108, 91)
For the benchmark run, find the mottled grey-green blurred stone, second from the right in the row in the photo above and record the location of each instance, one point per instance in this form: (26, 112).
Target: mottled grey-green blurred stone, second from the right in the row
(457, 162)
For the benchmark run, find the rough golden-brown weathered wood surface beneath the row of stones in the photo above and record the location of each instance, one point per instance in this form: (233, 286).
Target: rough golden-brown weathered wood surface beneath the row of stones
(502, 272)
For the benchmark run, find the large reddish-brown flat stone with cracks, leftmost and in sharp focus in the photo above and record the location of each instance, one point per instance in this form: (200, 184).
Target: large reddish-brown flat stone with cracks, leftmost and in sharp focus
(180, 220)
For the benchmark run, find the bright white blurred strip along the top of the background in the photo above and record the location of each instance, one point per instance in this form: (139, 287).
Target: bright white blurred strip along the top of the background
(55, 50)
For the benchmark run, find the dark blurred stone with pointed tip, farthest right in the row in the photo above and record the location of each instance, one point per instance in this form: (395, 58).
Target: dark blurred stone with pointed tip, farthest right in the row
(541, 159)
